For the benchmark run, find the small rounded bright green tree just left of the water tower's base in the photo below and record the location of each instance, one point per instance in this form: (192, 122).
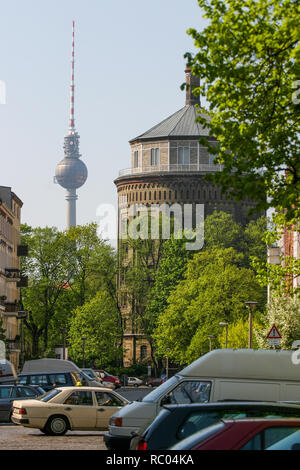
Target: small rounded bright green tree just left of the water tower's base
(97, 320)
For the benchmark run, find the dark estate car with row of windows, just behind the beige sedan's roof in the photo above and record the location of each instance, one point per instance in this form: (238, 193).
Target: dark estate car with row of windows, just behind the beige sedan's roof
(50, 380)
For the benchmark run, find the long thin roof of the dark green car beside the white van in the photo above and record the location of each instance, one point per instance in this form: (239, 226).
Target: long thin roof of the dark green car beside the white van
(234, 404)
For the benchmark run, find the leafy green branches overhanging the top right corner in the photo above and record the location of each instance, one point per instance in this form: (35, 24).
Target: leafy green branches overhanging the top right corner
(248, 60)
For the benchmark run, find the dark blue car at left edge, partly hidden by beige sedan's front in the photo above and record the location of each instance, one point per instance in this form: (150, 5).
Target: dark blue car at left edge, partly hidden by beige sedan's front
(9, 393)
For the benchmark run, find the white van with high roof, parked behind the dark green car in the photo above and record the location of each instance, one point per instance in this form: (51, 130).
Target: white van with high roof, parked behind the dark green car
(222, 374)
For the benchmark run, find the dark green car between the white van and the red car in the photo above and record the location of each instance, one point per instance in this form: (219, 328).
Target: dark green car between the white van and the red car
(176, 422)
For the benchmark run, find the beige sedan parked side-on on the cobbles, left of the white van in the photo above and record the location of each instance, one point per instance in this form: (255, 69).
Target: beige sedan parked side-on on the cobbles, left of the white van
(68, 408)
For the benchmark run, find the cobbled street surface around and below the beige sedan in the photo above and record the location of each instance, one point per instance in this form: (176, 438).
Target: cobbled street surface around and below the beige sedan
(15, 437)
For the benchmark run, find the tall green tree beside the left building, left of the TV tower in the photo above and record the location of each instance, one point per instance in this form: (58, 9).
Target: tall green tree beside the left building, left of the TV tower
(50, 271)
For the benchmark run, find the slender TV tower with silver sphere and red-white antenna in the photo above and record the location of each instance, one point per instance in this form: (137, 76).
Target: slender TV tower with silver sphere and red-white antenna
(71, 173)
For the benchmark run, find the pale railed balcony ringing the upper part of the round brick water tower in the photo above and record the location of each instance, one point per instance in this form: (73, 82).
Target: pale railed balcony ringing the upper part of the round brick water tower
(203, 168)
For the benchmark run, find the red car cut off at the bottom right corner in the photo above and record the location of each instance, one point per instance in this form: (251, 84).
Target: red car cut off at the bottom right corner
(246, 434)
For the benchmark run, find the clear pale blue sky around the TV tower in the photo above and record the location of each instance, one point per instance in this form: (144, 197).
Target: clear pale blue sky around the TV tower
(128, 72)
